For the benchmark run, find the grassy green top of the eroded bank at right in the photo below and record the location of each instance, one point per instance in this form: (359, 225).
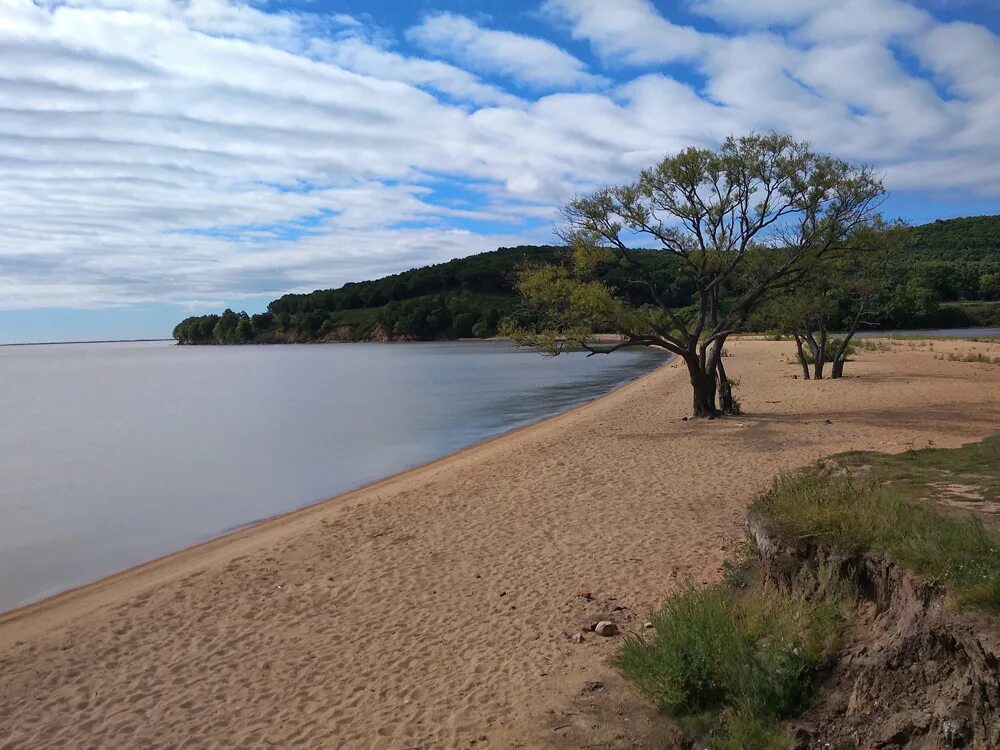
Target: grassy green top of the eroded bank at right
(892, 508)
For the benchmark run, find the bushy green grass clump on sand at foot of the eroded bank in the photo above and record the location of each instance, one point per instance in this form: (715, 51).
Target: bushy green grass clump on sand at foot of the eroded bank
(738, 661)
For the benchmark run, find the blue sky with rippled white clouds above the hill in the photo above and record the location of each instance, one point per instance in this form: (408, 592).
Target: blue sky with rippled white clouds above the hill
(160, 159)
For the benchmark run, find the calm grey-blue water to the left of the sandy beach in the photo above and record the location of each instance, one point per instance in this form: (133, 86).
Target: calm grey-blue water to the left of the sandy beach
(113, 454)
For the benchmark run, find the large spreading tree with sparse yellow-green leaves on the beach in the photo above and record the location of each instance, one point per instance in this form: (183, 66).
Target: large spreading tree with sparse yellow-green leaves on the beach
(744, 223)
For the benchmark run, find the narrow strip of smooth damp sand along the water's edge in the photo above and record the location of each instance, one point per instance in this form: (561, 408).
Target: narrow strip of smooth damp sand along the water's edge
(97, 589)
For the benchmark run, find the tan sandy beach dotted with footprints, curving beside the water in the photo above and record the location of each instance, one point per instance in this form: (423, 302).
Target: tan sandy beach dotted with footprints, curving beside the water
(436, 608)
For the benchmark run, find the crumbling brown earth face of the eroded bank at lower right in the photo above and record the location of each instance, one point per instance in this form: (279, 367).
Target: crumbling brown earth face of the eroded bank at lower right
(912, 673)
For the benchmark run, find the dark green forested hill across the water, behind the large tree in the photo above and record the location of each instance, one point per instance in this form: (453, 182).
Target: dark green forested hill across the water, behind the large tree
(950, 276)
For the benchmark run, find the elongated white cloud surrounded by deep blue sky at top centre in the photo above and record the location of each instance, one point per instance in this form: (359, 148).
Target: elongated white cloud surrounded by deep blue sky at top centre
(531, 61)
